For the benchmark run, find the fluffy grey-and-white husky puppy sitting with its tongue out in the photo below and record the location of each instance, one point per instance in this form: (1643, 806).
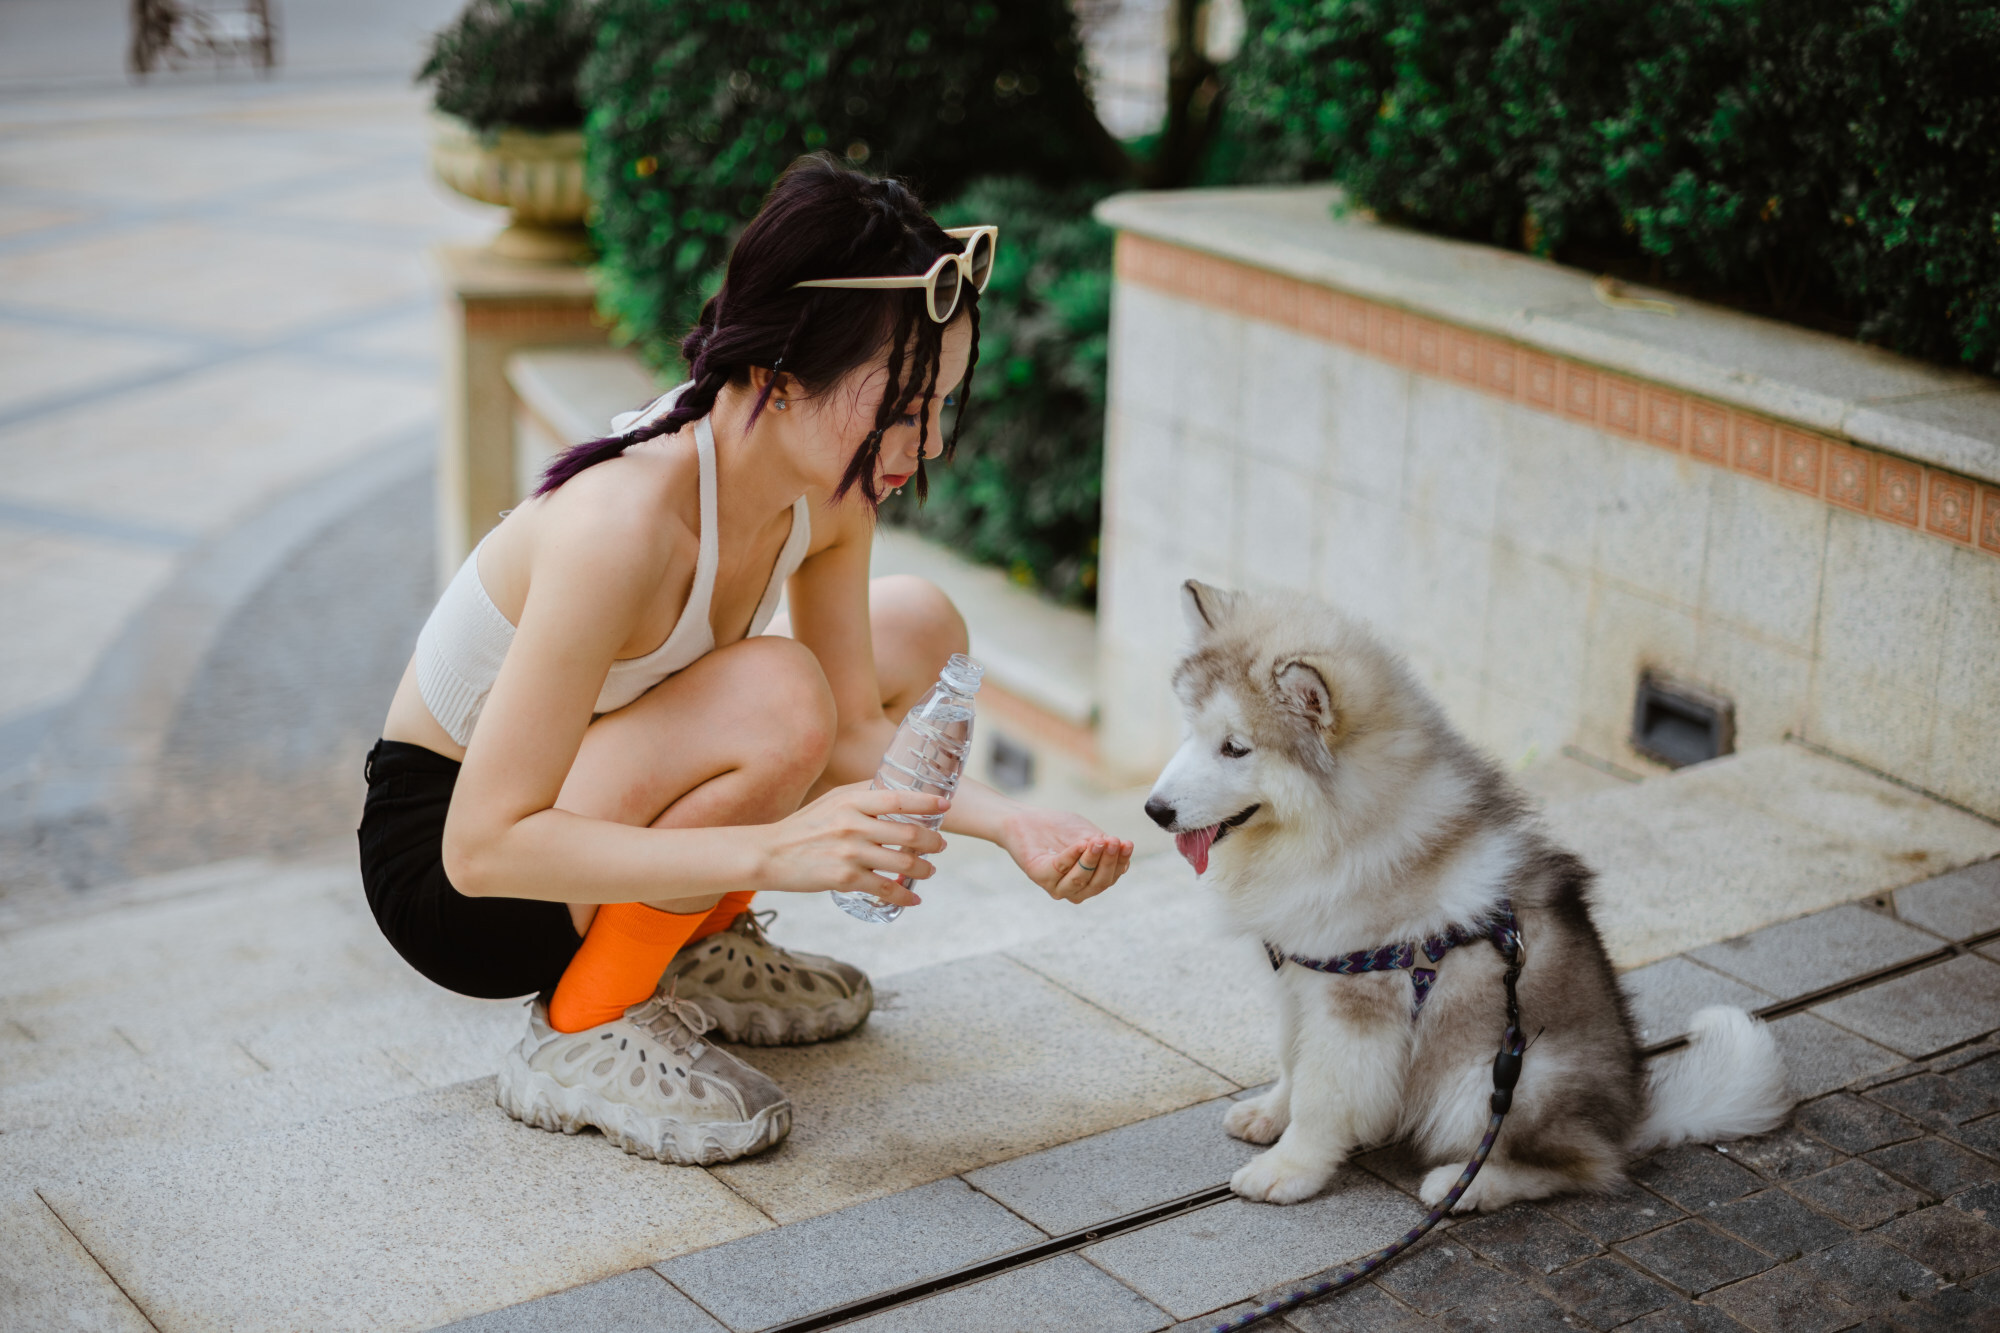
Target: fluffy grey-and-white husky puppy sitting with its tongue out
(1339, 812)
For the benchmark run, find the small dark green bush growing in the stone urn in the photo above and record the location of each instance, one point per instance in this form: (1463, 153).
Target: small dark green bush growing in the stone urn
(513, 63)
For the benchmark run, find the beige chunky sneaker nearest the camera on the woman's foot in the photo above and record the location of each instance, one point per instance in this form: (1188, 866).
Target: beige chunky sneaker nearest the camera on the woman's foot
(649, 1082)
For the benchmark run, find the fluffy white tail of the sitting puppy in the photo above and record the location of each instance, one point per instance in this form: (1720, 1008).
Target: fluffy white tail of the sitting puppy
(1725, 1086)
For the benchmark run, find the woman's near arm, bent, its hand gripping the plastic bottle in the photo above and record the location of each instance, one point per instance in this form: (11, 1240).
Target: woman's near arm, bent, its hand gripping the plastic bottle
(597, 561)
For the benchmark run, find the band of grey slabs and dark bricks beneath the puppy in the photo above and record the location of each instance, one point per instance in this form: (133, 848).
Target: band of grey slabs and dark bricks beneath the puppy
(1869, 1210)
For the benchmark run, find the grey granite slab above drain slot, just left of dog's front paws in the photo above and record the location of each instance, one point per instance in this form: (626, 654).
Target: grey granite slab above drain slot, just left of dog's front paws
(1119, 1172)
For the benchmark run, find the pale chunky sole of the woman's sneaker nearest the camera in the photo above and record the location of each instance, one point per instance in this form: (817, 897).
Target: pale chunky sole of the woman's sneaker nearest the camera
(537, 1100)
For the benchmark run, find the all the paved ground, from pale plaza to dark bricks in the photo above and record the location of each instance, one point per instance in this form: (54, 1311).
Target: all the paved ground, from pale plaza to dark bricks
(227, 1104)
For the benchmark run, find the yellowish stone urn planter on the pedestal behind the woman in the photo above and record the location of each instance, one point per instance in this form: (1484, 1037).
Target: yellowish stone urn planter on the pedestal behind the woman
(539, 177)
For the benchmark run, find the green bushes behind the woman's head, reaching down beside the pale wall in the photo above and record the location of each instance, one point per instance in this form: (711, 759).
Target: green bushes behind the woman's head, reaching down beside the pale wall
(695, 109)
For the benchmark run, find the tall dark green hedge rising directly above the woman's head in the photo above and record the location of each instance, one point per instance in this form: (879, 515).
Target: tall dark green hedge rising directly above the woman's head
(697, 107)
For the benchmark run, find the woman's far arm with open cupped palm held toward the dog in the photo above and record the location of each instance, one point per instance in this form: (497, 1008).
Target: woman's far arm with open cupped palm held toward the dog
(829, 603)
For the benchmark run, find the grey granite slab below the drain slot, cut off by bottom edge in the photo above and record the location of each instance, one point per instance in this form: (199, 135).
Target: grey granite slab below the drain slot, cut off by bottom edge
(1059, 1294)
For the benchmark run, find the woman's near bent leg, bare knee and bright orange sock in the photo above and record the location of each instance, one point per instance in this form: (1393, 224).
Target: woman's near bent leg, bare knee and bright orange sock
(735, 740)
